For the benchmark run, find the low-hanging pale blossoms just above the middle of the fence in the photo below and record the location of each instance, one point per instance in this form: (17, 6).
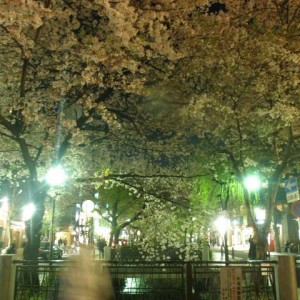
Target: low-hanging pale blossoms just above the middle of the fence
(169, 232)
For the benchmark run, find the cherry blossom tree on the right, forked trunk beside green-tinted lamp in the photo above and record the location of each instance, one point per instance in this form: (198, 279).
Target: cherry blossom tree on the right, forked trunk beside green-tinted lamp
(246, 111)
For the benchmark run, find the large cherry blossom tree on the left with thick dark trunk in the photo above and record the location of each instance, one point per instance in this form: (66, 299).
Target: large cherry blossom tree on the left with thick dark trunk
(63, 64)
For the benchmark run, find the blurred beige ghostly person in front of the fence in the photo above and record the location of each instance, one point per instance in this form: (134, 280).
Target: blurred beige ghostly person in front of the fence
(86, 279)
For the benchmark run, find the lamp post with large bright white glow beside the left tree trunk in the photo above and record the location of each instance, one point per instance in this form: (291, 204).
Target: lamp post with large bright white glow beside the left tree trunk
(56, 176)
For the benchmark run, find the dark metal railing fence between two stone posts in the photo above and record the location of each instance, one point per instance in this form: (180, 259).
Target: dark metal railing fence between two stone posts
(157, 280)
